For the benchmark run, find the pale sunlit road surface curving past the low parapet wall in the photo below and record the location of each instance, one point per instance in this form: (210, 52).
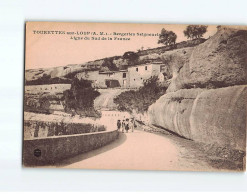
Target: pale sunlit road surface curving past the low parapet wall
(138, 151)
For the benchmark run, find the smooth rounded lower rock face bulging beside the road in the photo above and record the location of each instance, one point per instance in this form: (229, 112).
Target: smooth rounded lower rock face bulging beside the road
(215, 116)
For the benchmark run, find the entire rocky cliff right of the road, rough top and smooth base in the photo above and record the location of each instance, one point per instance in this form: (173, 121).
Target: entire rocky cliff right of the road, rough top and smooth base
(206, 100)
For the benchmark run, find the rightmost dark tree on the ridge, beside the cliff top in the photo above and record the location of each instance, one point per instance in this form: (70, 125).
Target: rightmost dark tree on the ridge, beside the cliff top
(195, 31)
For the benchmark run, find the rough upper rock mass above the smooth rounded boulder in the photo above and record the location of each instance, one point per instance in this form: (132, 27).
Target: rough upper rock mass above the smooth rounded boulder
(221, 61)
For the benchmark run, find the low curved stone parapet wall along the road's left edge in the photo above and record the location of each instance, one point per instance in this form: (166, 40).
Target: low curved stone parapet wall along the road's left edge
(48, 151)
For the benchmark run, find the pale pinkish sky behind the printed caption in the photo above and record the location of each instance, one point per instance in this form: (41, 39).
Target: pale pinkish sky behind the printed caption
(53, 49)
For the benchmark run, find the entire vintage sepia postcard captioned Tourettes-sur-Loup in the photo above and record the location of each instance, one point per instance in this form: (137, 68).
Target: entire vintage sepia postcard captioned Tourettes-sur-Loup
(135, 96)
